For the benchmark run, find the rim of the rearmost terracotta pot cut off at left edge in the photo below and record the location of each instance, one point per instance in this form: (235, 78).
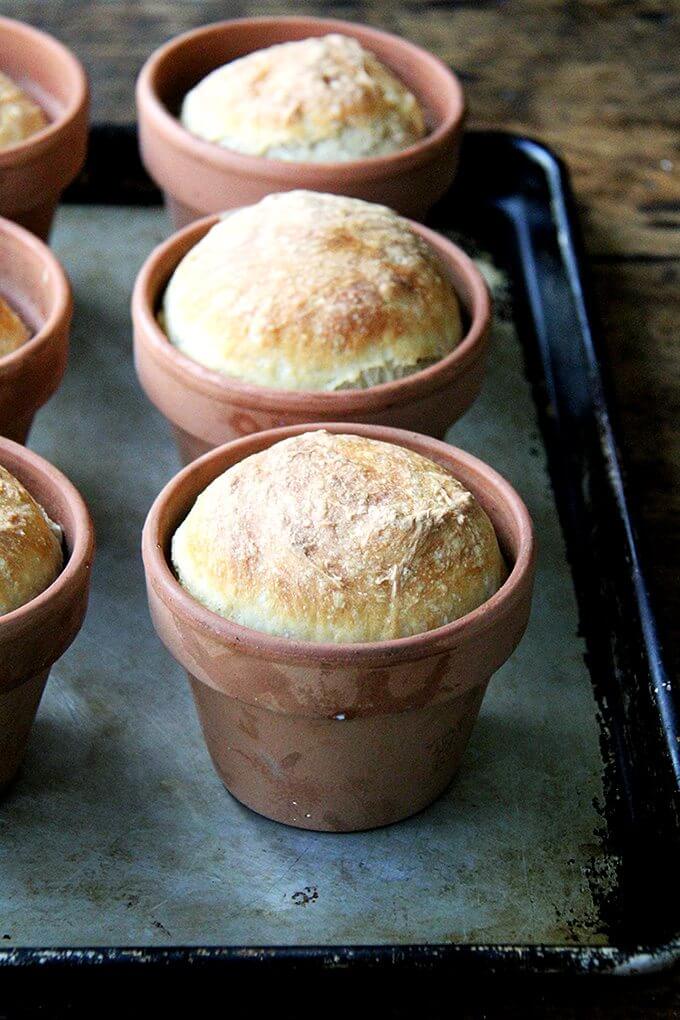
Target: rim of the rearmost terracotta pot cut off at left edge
(43, 140)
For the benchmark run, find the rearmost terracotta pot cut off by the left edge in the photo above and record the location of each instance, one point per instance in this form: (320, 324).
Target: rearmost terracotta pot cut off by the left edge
(36, 172)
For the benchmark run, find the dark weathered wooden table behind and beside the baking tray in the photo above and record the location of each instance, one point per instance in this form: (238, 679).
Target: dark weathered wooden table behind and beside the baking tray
(599, 82)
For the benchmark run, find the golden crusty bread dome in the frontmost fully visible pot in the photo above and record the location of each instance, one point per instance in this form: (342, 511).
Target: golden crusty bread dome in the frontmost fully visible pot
(338, 539)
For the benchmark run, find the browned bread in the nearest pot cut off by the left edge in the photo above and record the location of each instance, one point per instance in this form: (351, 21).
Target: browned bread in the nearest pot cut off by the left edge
(30, 546)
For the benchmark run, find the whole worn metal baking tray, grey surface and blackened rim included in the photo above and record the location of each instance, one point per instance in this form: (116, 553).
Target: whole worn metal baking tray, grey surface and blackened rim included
(555, 850)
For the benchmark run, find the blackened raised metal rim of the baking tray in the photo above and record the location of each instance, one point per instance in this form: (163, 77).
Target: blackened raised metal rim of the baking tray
(572, 396)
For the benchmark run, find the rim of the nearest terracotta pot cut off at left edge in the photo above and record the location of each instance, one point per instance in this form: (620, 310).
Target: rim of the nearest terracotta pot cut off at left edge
(13, 455)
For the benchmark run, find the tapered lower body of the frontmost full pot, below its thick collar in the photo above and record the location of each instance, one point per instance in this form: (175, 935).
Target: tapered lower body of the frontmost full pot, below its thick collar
(336, 776)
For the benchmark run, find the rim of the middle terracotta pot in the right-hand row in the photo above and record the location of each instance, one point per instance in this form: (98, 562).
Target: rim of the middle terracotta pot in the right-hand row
(221, 388)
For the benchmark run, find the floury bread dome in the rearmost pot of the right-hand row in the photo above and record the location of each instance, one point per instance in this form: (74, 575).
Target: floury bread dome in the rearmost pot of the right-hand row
(324, 99)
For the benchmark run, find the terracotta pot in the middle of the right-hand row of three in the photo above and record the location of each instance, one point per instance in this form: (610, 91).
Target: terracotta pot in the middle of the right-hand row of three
(207, 409)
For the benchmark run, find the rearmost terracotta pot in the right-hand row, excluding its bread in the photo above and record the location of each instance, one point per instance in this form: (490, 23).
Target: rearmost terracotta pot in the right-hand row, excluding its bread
(200, 178)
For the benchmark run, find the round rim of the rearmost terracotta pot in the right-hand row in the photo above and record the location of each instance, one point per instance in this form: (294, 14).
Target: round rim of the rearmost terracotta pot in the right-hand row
(151, 107)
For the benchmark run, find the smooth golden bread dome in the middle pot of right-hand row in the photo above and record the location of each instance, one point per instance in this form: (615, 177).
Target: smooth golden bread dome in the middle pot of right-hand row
(306, 291)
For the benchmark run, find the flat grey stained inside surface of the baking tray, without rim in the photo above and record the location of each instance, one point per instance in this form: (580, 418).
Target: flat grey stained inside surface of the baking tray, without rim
(119, 832)
